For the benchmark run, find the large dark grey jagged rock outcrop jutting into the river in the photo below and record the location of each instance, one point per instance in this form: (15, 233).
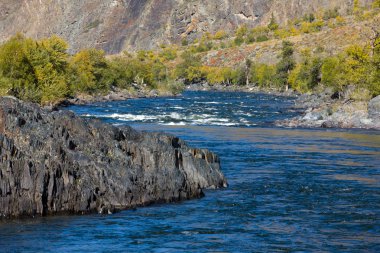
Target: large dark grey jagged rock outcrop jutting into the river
(56, 162)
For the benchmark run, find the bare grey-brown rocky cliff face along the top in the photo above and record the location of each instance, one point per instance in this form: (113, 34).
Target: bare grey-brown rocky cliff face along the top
(114, 25)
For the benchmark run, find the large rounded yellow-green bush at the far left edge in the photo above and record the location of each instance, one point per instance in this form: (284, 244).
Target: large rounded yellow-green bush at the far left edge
(34, 70)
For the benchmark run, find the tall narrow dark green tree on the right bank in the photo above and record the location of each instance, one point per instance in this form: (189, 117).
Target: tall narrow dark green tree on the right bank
(286, 64)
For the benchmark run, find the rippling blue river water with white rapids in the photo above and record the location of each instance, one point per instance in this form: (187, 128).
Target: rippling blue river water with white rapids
(290, 190)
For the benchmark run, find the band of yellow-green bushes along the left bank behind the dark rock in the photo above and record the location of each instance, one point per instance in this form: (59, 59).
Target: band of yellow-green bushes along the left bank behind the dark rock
(43, 72)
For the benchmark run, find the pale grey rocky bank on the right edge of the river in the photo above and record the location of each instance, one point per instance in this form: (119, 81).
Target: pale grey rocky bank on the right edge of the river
(323, 110)
